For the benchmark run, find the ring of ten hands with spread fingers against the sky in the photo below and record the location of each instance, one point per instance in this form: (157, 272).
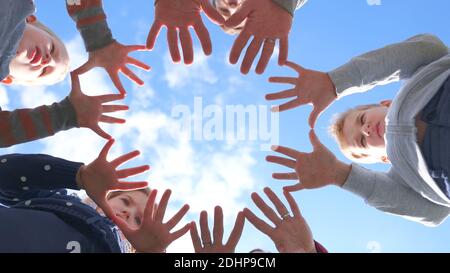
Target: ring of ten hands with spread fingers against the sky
(265, 23)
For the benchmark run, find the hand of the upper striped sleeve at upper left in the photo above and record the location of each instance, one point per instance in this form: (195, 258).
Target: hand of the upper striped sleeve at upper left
(114, 58)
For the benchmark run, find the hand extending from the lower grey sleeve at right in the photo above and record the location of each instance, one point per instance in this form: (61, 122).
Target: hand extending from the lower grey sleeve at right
(313, 170)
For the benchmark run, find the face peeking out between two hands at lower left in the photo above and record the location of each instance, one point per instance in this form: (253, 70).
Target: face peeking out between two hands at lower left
(129, 206)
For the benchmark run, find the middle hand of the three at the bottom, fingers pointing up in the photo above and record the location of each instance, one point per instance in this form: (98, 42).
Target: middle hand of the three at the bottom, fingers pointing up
(205, 244)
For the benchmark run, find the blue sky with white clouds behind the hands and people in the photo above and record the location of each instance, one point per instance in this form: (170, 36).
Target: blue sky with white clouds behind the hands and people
(205, 173)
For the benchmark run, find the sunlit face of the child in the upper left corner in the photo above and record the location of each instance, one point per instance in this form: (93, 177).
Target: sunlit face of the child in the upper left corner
(40, 58)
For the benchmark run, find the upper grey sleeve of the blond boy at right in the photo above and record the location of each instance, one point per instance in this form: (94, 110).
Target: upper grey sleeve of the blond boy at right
(391, 63)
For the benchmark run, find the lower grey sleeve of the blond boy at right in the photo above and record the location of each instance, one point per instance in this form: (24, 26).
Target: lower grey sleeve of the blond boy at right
(381, 191)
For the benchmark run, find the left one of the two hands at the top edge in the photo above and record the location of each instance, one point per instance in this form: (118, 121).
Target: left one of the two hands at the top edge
(178, 16)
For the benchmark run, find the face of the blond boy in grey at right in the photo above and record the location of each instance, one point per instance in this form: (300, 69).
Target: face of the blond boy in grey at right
(364, 131)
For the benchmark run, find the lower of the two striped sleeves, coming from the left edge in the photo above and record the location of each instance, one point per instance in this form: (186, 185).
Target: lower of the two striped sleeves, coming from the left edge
(24, 125)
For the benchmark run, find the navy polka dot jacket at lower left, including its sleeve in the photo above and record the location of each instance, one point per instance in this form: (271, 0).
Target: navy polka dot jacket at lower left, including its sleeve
(37, 214)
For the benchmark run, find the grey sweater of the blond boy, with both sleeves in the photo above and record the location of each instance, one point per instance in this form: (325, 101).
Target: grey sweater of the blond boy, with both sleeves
(407, 189)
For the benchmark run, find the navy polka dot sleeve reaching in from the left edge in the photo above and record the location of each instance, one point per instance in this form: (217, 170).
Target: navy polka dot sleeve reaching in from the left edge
(23, 174)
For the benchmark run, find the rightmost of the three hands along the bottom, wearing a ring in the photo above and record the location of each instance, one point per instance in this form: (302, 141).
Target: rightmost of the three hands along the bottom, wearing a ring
(291, 233)
